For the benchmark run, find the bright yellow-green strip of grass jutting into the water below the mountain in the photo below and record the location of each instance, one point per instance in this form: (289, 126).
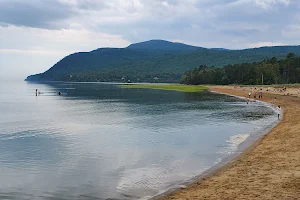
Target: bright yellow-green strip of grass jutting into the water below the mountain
(175, 87)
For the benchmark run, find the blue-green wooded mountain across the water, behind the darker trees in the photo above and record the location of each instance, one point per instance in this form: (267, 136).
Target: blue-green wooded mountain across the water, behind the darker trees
(154, 60)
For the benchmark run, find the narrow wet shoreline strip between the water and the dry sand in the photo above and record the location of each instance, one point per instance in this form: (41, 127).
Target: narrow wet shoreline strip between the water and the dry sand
(249, 143)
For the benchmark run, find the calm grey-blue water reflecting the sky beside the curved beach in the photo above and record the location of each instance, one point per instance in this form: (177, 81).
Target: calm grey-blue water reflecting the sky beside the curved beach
(98, 141)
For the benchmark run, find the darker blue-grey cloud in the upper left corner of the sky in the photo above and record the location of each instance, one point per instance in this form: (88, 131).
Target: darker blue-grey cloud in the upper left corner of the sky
(46, 14)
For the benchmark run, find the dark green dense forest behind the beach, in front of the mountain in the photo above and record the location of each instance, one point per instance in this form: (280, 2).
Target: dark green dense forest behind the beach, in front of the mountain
(268, 71)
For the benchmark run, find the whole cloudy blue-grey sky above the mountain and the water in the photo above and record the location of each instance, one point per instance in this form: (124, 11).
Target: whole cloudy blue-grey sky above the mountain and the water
(35, 34)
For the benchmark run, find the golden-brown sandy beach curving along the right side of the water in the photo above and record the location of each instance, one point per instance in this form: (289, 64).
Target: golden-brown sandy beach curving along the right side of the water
(268, 169)
